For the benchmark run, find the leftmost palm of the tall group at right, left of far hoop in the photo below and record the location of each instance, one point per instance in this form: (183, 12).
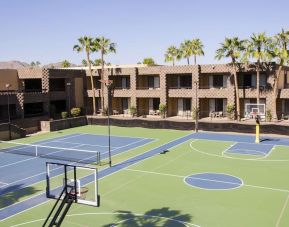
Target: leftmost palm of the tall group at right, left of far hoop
(232, 48)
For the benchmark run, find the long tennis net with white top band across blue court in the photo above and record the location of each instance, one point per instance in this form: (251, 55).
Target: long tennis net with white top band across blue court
(49, 152)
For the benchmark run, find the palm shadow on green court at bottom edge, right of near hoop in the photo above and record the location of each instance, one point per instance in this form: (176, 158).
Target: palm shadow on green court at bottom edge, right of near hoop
(156, 217)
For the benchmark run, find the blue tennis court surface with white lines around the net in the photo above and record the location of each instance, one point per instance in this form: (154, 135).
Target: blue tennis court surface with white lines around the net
(18, 171)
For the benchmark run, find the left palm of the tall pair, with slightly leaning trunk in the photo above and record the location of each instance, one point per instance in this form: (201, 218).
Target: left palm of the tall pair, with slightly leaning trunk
(85, 44)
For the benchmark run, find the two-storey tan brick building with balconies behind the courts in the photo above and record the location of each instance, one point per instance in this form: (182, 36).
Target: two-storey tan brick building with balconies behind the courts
(45, 93)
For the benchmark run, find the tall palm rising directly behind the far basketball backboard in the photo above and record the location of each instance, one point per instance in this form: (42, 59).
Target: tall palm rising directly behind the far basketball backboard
(257, 47)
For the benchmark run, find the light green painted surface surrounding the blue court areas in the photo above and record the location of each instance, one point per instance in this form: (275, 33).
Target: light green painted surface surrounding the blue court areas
(153, 192)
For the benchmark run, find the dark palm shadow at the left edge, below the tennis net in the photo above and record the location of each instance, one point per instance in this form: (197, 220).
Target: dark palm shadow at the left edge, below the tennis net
(13, 194)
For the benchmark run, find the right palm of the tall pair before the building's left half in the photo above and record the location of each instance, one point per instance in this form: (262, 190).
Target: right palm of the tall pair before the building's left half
(103, 45)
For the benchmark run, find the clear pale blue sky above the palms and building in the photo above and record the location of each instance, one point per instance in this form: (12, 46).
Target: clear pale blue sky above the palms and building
(46, 30)
